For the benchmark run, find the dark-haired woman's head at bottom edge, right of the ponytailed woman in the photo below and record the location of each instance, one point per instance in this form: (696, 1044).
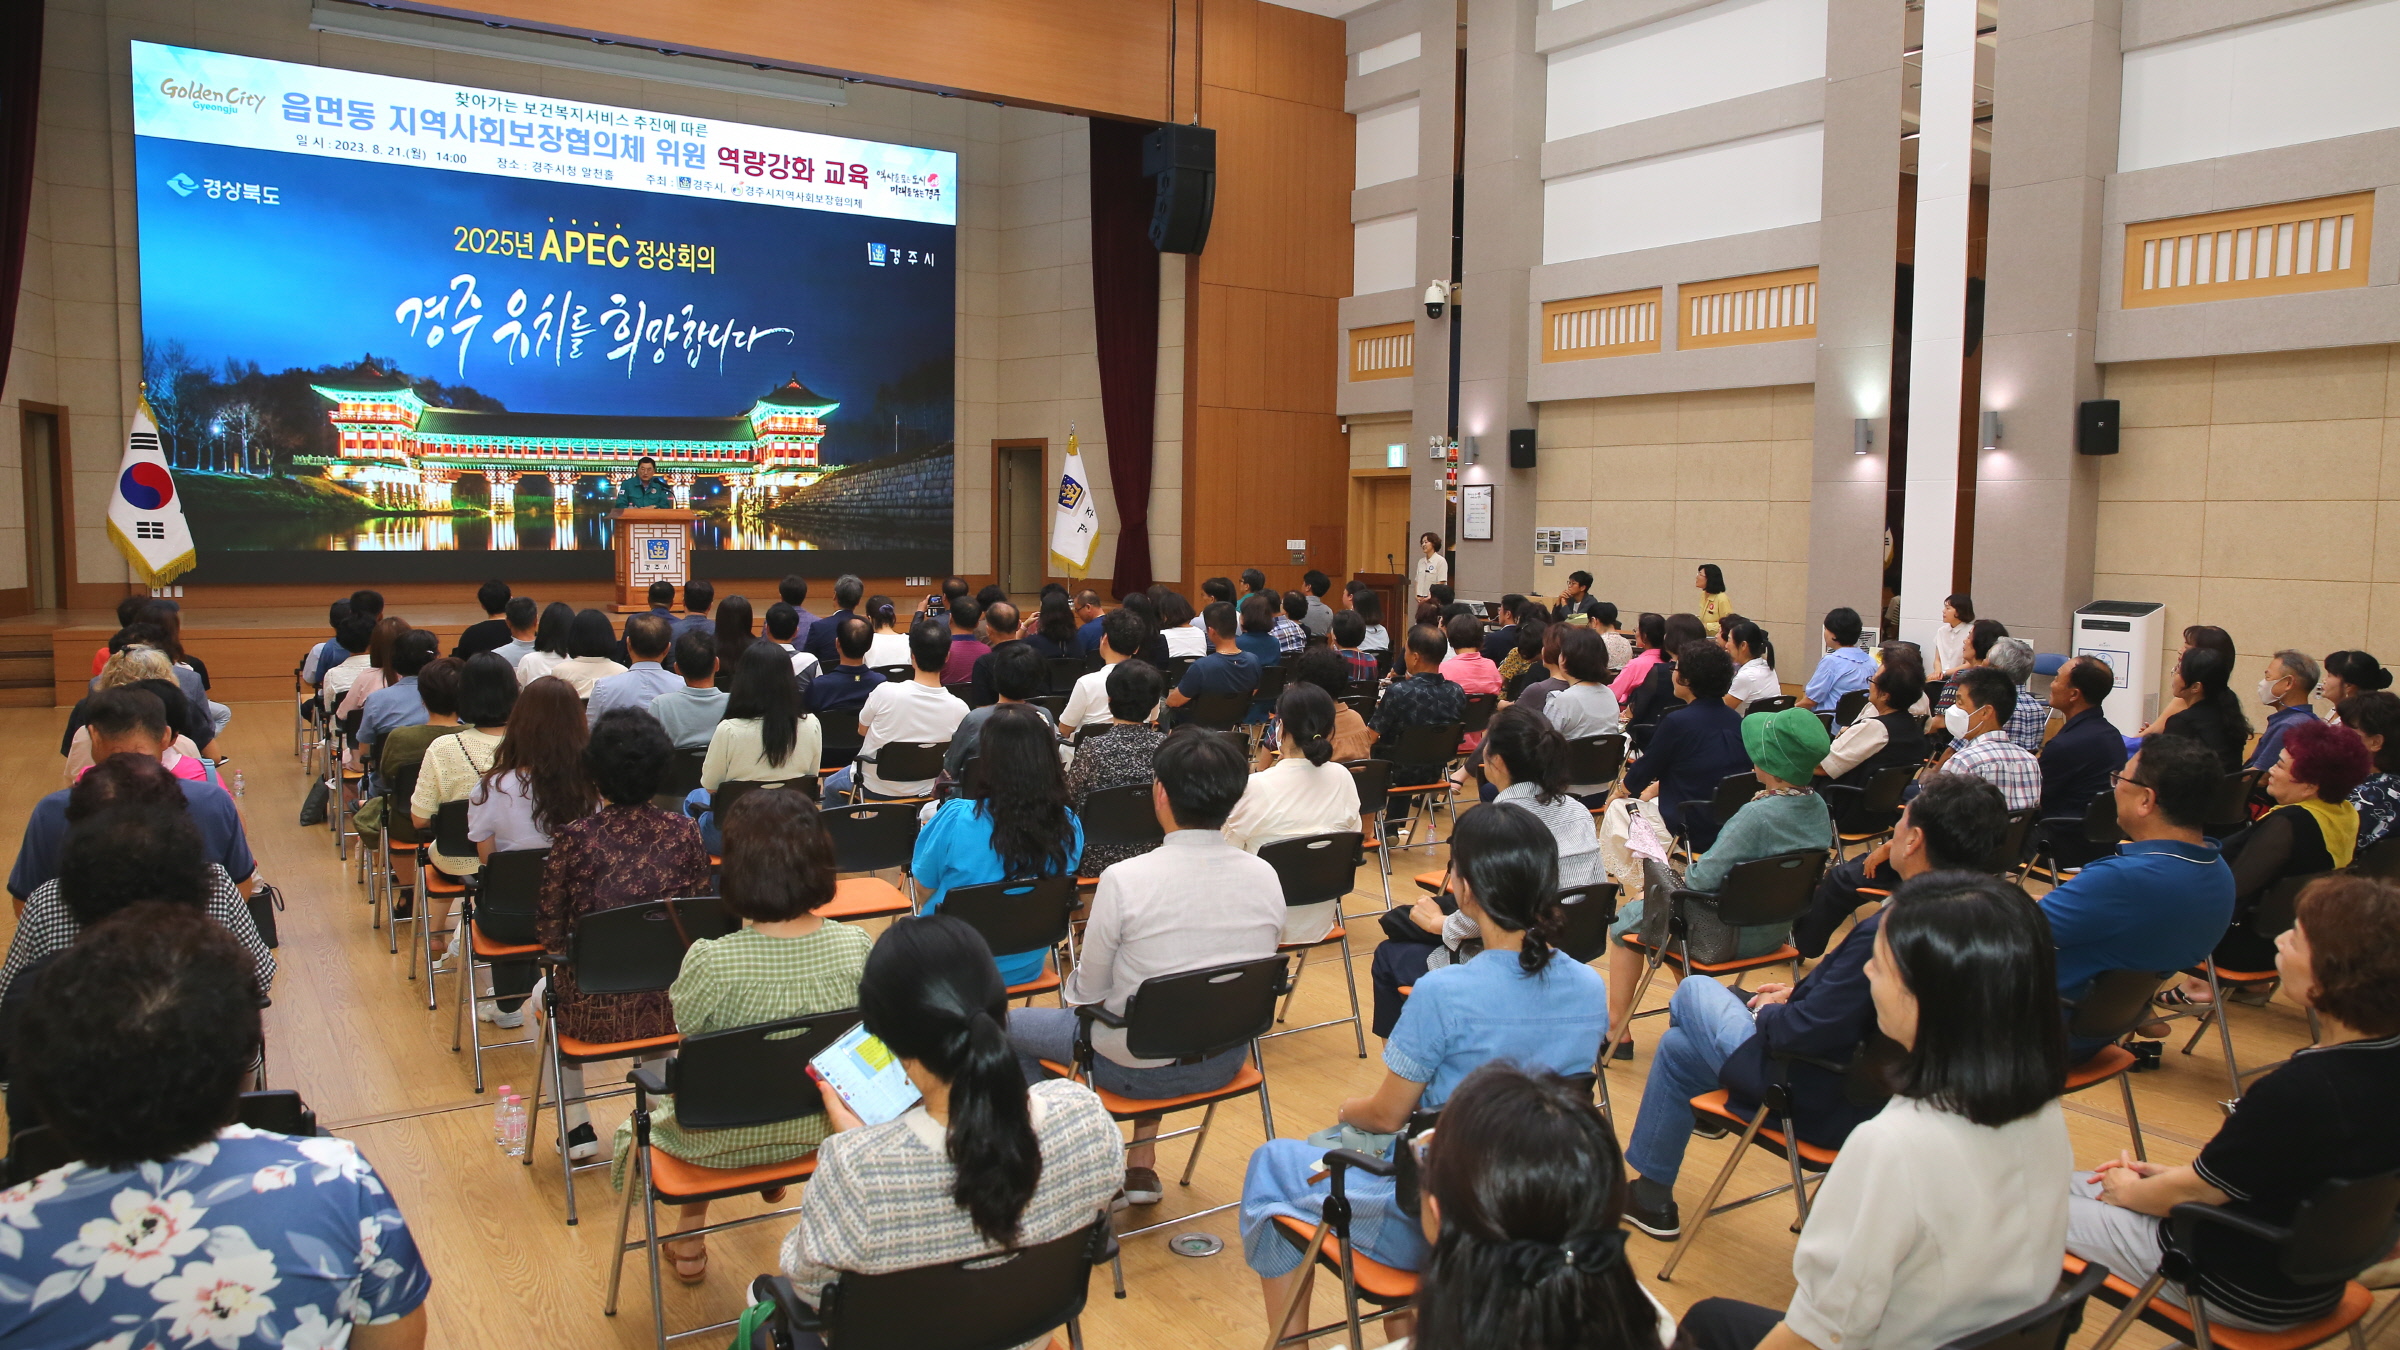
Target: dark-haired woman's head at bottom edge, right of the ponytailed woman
(1525, 1205)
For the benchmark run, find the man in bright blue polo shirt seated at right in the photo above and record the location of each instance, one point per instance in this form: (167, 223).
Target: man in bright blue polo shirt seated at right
(2164, 900)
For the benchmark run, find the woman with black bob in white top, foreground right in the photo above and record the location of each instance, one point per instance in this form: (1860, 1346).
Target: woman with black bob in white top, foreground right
(1936, 1219)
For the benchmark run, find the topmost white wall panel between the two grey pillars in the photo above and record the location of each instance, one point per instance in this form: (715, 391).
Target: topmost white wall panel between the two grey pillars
(1691, 61)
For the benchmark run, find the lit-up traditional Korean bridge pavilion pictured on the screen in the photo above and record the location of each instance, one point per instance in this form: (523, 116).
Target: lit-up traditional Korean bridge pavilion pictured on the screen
(400, 450)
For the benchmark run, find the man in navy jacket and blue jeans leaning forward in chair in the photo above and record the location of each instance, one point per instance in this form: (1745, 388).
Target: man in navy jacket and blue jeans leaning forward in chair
(1717, 1039)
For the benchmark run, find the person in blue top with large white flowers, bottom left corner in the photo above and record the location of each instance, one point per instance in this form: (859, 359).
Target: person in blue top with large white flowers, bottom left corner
(179, 1226)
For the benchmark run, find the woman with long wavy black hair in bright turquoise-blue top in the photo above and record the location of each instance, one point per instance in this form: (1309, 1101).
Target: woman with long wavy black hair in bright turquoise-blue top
(1012, 820)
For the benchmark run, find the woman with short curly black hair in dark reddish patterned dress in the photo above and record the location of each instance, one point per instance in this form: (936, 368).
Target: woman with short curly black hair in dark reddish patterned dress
(625, 854)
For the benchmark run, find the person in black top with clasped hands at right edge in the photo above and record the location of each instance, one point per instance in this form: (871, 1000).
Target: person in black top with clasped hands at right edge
(2324, 1113)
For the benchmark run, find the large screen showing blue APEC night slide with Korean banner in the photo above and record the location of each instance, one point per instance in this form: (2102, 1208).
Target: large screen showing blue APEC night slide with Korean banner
(392, 316)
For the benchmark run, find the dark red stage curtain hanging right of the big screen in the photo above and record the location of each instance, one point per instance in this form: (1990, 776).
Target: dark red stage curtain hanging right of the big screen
(1127, 321)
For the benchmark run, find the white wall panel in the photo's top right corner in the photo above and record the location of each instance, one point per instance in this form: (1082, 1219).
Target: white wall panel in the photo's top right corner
(2327, 73)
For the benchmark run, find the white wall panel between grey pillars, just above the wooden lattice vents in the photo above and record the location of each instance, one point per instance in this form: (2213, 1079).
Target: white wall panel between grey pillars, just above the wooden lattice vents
(1758, 184)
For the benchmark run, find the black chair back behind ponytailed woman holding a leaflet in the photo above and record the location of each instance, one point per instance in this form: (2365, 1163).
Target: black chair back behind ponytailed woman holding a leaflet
(1016, 1296)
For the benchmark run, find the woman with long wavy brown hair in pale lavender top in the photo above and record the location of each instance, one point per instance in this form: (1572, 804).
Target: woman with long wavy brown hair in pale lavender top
(536, 784)
